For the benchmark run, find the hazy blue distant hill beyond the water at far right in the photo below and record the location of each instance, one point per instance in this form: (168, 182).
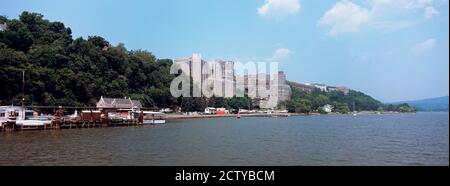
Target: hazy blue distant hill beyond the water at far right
(432, 104)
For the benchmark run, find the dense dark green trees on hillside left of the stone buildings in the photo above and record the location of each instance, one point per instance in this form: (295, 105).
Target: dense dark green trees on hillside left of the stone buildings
(61, 70)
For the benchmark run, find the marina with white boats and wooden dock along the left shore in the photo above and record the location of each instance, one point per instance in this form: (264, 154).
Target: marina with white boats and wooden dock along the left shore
(13, 119)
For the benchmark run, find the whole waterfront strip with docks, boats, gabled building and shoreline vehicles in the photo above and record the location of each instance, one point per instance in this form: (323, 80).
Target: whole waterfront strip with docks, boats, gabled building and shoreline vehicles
(109, 112)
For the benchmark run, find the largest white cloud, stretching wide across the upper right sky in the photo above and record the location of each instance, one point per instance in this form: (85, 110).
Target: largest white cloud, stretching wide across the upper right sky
(381, 15)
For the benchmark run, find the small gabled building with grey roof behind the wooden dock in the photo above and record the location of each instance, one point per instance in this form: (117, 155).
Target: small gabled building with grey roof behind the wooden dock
(118, 103)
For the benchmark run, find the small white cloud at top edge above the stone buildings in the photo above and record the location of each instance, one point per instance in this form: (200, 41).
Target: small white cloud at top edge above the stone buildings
(279, 9)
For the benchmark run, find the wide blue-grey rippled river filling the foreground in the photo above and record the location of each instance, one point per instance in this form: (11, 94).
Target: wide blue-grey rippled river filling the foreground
(398, 139)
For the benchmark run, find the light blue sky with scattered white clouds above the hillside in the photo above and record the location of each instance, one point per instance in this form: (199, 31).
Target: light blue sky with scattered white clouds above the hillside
(393, 50)
